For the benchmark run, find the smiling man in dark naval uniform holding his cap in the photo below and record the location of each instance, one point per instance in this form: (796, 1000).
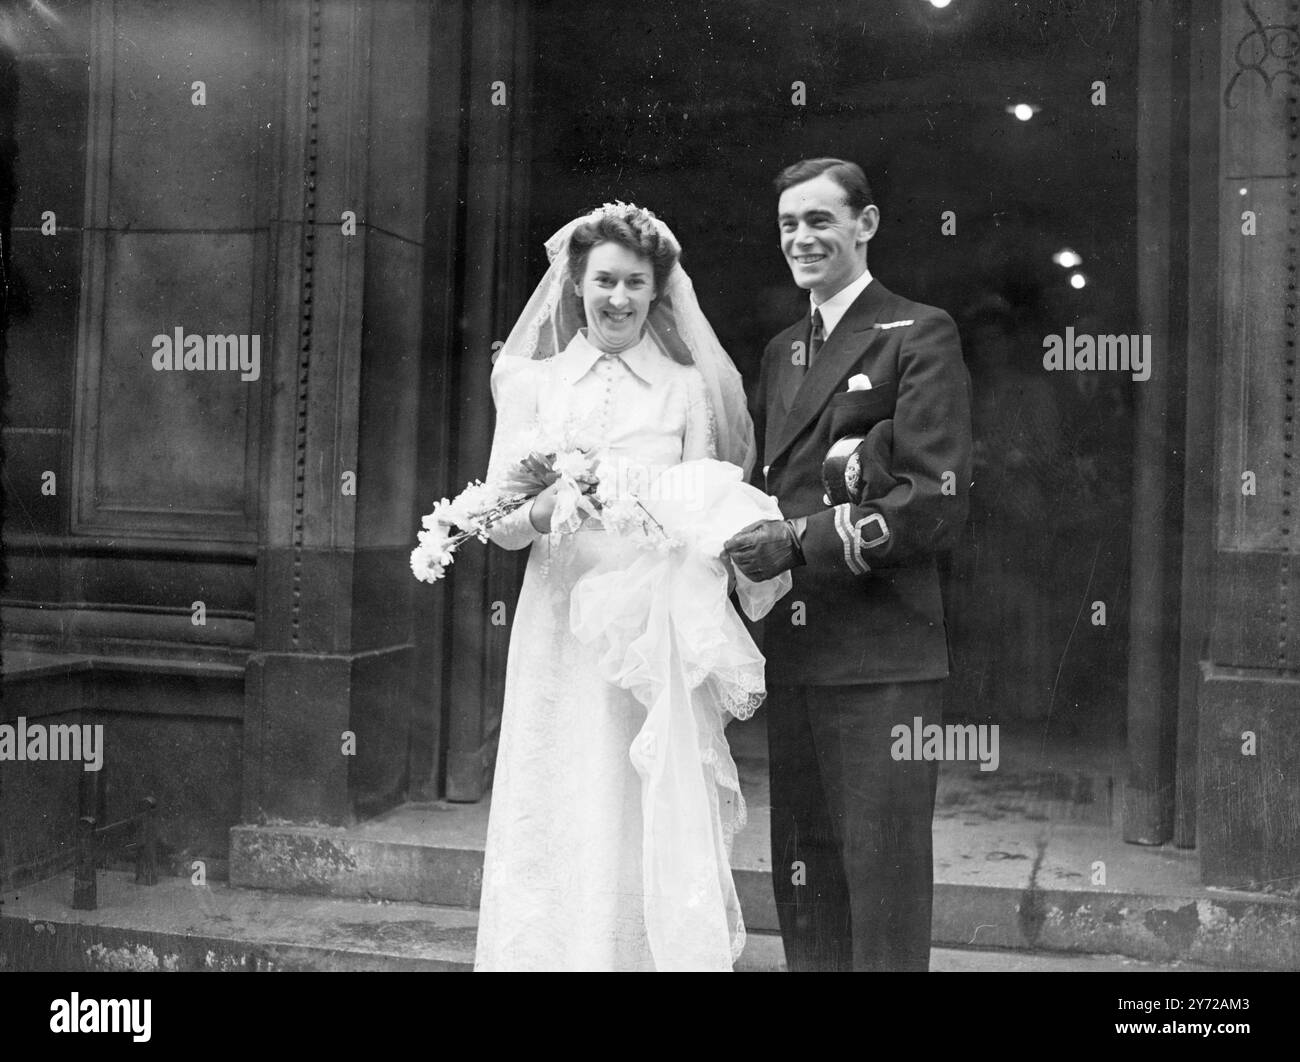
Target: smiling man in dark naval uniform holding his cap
(864, 648)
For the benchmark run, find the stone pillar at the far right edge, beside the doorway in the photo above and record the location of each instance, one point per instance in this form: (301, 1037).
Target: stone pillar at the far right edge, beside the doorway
(1250, 692)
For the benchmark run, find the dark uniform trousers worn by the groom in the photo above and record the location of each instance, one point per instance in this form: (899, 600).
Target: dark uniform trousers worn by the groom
(852, 852)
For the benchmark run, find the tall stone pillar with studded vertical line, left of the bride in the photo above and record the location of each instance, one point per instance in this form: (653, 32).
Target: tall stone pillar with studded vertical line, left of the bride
(335, 651)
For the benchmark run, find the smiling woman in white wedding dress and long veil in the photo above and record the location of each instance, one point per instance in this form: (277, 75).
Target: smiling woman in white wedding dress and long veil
(616, 796)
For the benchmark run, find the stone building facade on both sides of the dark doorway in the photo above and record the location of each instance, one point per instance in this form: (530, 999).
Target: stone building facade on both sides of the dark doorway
(213, 563)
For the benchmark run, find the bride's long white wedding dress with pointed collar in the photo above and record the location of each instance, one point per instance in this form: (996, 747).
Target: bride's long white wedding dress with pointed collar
(565, 885)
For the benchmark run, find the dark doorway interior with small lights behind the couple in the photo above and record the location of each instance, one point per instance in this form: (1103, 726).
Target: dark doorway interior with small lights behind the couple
(686, 107)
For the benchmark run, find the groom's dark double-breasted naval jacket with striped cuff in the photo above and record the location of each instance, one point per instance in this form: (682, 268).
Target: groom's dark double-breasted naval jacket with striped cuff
(870, 592)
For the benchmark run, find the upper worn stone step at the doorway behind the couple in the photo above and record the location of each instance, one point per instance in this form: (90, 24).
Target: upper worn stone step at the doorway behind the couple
(1015, 886)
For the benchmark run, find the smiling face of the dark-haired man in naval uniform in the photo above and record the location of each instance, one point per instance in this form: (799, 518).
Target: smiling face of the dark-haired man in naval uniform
(825, 242)
